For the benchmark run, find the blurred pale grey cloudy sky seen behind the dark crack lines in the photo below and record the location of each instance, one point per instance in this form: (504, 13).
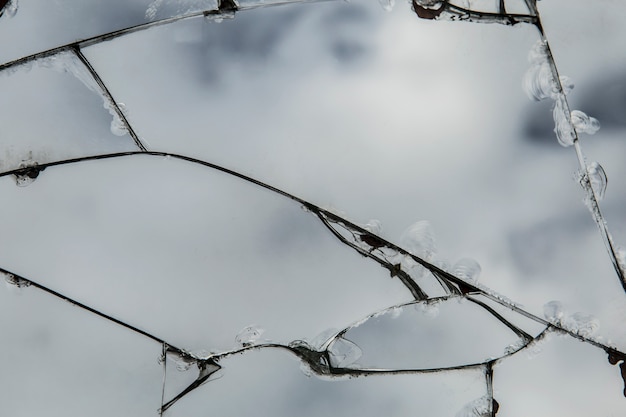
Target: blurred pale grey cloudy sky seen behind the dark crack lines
(371, 114)
